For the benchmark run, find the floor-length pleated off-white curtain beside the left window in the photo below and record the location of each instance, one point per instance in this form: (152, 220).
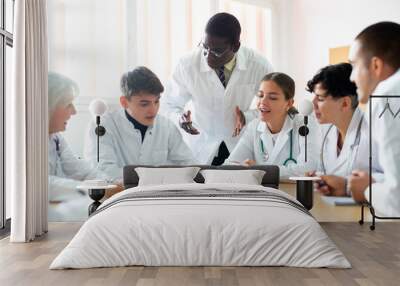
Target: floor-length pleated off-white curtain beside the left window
(28, 122)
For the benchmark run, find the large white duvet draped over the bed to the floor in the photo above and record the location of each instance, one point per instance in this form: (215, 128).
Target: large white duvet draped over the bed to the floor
(185, 231)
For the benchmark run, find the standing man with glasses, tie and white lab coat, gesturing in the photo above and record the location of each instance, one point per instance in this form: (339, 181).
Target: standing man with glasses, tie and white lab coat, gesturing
(220, 79)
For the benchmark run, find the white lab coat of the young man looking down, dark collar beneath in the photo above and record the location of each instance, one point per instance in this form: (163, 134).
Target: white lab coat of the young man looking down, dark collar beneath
(122, 144)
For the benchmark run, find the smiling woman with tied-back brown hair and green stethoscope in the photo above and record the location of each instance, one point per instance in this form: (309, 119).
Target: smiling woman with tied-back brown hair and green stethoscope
(274, 137)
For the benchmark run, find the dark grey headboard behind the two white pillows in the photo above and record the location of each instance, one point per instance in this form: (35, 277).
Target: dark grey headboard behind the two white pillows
(270, 179)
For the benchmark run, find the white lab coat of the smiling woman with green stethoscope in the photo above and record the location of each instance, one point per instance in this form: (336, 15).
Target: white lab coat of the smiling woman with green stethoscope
(257, 138)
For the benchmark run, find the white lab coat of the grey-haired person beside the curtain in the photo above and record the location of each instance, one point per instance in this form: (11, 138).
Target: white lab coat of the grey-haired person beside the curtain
(66, 171)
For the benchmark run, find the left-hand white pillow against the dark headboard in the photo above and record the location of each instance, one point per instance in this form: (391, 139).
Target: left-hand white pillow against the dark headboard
(166, 176)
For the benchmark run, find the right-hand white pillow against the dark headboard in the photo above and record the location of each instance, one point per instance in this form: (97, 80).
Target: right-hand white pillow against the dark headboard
(248, 177)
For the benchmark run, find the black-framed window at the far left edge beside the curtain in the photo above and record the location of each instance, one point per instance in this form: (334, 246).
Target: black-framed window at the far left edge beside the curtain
(6, 43)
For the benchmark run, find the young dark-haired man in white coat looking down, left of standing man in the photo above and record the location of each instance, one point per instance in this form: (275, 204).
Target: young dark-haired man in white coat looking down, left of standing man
(137, 134)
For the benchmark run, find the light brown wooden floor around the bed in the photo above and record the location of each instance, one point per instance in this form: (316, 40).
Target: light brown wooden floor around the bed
(374, 255)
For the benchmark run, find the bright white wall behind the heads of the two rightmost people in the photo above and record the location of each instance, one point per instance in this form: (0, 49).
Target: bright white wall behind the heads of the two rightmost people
(317, 25)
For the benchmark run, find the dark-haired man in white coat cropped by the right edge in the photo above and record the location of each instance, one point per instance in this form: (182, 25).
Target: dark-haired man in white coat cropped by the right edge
(375, 56)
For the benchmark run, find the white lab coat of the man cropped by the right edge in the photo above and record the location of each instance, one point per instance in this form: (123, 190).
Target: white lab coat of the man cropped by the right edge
(386, 130)
